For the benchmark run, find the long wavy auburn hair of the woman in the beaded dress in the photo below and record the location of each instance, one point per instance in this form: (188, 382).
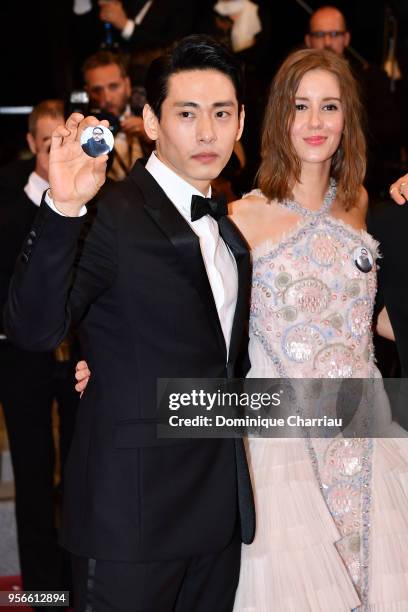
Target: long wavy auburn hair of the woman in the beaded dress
(280, 168)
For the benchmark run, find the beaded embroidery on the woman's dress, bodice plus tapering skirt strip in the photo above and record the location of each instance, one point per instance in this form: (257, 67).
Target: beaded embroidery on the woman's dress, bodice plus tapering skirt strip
(311, 311)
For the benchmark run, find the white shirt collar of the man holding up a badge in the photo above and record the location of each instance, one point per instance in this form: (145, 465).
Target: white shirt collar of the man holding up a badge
(176, 189)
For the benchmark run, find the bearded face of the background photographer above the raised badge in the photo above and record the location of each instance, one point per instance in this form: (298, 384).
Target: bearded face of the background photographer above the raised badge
(108, 89)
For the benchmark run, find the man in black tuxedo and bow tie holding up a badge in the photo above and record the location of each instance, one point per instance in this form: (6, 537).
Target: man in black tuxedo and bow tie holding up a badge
(161, 290)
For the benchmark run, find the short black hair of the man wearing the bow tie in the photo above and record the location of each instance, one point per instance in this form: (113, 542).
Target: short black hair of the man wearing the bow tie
(196, 52)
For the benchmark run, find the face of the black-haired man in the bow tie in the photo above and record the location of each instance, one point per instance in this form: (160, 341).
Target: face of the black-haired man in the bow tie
(199, 125)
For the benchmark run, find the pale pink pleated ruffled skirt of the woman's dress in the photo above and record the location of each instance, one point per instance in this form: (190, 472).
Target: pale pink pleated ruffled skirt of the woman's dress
(298, 561)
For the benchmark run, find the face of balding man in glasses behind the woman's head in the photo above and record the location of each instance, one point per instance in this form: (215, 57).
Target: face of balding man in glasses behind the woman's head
(328, 31)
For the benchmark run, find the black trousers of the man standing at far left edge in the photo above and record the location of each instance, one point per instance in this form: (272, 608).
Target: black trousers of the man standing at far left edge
(29, 382)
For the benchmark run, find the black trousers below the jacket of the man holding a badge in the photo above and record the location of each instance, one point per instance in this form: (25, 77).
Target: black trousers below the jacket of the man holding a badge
(200, 584)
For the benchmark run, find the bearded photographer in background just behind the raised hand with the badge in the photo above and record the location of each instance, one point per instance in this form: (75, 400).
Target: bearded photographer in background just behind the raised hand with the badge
(108, 85)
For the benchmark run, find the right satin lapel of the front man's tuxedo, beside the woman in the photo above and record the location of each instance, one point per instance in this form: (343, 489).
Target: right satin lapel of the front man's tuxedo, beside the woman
(232, 236)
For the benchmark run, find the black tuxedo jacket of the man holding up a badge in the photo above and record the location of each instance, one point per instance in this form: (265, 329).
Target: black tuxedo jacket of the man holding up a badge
(142, 300)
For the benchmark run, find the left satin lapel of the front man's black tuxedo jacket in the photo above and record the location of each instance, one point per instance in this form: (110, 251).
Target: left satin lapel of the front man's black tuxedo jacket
(182, 237)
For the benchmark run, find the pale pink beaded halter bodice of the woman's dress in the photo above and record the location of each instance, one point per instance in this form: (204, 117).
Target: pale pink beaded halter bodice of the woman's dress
(311, 304)
